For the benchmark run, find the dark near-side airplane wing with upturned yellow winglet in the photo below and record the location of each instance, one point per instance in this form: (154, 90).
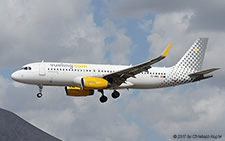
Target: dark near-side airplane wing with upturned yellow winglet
(121, 76)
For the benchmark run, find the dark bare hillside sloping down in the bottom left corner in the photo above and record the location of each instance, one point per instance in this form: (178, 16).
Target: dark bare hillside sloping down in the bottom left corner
(14, 128)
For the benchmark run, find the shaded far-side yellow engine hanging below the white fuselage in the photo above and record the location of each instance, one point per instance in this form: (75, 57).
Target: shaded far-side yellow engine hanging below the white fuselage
(76, 91)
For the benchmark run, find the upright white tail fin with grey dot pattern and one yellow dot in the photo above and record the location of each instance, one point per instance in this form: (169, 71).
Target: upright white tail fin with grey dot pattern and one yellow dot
(193, 58)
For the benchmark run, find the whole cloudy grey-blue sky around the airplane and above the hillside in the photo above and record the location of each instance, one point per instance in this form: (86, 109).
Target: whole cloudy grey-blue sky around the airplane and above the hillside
(114, 32)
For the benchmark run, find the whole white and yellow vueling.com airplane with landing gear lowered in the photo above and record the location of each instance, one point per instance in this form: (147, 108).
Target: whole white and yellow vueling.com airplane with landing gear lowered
(82, 80)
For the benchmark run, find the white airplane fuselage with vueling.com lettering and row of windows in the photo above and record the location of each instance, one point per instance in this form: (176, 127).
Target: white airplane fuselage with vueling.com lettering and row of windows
(69, 74)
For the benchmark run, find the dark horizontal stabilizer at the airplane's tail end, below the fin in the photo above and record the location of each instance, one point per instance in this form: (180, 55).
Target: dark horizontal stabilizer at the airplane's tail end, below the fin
(201, 75)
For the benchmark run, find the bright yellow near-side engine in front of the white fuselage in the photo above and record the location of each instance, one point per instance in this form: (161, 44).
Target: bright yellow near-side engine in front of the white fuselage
(94, 83)
